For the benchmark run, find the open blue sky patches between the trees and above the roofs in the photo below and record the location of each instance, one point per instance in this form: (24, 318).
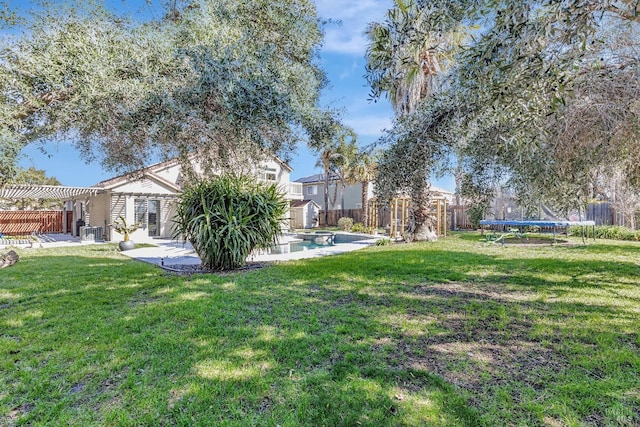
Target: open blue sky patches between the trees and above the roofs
(342, 57)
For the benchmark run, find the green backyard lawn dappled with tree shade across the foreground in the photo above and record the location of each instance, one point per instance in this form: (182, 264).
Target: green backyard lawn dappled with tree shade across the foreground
(456, 332)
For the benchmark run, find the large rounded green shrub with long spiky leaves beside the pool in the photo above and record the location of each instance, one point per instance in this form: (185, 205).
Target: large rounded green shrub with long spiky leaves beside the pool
(227, 217)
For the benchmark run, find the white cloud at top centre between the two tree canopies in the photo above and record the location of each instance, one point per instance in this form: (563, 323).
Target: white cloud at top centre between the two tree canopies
(354, 16)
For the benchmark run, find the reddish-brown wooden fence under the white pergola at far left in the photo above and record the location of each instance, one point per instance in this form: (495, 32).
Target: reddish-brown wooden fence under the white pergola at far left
(14, 223)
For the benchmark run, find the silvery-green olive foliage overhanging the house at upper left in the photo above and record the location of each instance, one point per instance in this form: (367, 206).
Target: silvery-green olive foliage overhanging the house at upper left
(227, 80)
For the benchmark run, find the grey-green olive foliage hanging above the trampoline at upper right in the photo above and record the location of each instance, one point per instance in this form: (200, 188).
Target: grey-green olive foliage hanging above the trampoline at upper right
(543, 98)
